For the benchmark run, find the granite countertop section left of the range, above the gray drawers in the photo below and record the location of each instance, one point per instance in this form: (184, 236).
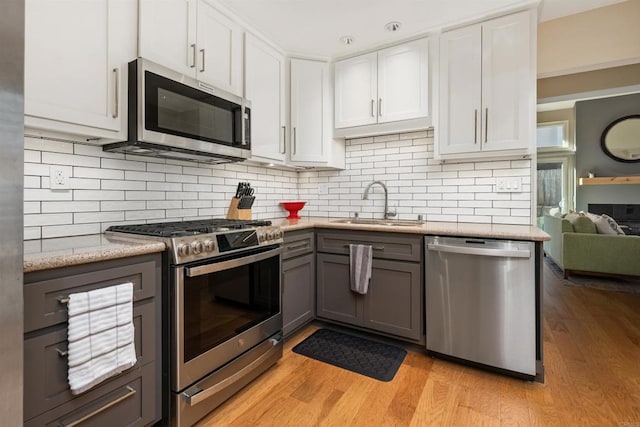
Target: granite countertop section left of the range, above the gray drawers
(66, 251)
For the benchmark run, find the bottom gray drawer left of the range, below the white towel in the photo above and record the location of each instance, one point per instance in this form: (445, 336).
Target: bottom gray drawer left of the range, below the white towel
(126, 401)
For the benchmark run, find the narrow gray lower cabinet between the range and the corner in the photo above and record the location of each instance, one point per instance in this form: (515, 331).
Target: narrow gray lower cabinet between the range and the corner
(298, 280)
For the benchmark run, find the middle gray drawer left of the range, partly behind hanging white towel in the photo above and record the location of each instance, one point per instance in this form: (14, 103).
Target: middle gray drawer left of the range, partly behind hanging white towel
(45, 370)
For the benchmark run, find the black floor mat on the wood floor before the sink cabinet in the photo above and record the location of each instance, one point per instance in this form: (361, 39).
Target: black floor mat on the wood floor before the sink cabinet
(366, 357)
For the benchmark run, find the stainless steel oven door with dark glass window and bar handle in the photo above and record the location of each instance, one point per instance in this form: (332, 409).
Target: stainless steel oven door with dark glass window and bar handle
(221, 310)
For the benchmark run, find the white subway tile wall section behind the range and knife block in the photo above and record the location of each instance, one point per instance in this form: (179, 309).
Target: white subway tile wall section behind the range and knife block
(109, 188)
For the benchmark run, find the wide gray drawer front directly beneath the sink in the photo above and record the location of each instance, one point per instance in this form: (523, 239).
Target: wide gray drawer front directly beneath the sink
(402, 247)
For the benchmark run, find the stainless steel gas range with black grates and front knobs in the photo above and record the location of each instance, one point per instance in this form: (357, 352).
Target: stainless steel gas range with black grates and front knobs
(222, 308)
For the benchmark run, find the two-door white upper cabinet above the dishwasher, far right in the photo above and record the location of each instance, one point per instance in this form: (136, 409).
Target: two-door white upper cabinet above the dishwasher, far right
(487, 89)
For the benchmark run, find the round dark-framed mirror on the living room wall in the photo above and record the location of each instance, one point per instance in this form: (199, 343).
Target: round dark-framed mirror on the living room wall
(621, 139)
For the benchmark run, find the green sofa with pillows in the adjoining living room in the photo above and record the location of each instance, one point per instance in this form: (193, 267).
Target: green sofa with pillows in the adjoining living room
(576, 247)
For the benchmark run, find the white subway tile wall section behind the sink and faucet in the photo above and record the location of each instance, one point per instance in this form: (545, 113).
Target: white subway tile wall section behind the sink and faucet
(417, 184)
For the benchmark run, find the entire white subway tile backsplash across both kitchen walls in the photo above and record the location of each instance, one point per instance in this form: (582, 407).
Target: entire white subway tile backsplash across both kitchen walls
(112, 188)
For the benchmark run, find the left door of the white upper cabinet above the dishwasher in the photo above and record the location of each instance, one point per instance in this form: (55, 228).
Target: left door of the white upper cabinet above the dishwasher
(460, 90)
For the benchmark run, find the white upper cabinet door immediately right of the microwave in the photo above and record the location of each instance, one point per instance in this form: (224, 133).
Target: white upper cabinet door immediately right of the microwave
(264, 87)
